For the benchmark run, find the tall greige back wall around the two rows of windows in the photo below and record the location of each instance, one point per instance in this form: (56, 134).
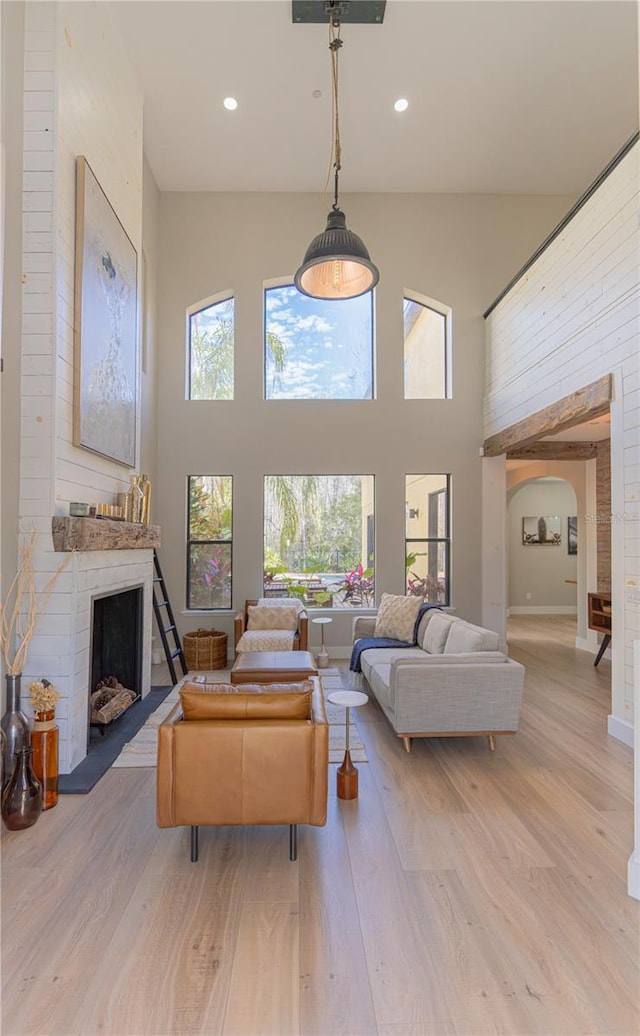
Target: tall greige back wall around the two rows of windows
(458, 250)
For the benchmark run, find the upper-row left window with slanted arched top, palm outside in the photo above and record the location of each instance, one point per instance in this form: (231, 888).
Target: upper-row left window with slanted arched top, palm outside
(211, 352)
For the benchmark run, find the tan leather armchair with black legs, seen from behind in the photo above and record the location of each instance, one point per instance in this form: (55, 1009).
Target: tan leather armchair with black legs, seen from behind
(255, 755)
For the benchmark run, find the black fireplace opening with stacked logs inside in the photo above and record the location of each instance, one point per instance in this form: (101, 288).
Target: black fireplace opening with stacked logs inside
(117, 656)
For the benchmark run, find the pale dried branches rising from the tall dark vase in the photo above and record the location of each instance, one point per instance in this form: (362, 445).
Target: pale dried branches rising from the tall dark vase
(22, 609)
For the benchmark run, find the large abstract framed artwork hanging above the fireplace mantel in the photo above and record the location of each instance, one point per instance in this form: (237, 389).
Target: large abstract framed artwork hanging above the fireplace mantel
(106, 327)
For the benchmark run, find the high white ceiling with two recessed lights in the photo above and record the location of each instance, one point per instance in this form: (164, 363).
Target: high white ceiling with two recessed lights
(517, 98)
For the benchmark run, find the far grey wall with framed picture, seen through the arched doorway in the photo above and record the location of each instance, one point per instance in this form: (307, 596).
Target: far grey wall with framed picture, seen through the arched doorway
(538, 570)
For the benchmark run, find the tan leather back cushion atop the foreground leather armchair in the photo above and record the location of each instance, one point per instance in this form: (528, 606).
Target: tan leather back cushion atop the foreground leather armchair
(248, 702)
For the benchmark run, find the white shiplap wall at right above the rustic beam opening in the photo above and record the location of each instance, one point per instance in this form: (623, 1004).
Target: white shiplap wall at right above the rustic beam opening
(570, 320)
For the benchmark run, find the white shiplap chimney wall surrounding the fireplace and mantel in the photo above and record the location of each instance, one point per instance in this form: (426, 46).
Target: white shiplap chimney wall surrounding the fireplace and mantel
(80, 99)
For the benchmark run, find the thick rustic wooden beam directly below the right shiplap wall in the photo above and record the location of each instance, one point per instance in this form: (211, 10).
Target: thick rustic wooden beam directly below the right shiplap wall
(584, 406)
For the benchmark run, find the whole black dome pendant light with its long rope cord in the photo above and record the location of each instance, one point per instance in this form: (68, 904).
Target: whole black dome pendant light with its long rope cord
(337, 264)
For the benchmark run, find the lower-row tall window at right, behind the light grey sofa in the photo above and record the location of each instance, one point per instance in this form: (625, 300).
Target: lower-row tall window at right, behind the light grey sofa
(428, 537)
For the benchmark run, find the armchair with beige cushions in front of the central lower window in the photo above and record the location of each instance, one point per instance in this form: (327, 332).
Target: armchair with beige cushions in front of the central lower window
(272, 624)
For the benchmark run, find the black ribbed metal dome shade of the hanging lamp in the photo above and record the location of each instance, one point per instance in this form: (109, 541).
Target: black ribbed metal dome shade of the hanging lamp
(337, 264)
